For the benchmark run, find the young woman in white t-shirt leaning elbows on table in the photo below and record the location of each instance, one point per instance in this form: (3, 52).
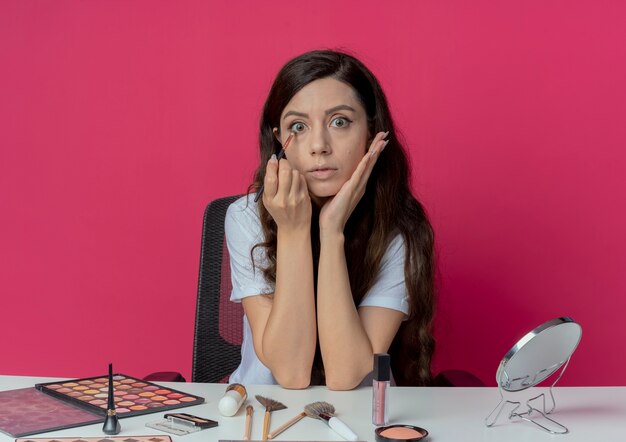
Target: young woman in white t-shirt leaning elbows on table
(335, 261)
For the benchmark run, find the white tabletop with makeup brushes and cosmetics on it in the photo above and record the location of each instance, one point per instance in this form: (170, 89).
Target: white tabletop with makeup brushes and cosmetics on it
(449, 414)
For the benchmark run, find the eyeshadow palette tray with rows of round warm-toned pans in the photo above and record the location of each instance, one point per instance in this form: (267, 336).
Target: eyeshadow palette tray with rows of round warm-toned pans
(132, 396)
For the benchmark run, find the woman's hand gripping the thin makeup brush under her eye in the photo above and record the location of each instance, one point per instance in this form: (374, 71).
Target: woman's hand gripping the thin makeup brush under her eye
(286, 196)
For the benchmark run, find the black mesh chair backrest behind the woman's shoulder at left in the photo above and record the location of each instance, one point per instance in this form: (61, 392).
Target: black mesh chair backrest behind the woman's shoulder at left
(219, 322)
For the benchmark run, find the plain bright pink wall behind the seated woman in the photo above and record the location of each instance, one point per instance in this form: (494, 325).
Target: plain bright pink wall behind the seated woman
(120, 120)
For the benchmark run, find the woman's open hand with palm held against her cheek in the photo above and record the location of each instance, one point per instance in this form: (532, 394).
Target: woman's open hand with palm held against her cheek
(336, 211)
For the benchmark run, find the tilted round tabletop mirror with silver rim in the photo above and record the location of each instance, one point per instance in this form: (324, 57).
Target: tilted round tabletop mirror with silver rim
(538, 354)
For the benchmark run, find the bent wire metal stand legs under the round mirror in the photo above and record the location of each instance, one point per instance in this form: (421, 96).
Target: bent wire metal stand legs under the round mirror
(530, 409)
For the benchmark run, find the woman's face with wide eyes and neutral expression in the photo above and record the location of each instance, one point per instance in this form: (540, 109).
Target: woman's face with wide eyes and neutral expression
(331, 135)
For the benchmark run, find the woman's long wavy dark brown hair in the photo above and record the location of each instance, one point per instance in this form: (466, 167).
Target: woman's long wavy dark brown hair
(386, 209)
